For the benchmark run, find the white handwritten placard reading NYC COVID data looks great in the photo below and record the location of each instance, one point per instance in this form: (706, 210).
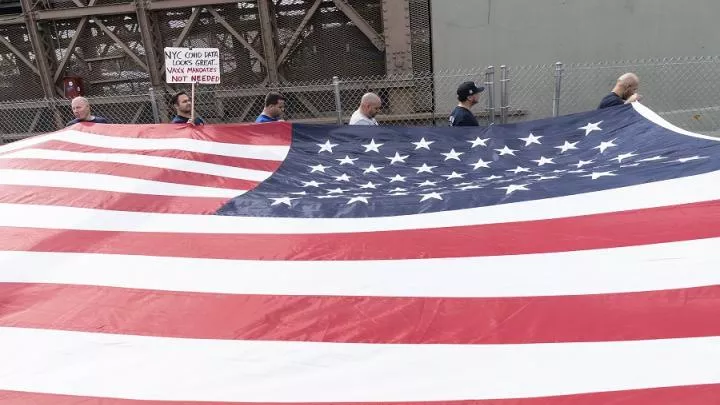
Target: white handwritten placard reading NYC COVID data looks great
(196, 65)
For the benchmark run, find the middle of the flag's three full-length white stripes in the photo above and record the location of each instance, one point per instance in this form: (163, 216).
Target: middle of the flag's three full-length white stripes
(603, 271)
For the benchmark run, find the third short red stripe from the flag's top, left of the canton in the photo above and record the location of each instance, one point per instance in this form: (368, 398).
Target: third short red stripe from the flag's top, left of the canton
(131, 171)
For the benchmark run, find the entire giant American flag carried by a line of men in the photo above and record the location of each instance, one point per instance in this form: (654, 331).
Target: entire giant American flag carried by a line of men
(563, 261)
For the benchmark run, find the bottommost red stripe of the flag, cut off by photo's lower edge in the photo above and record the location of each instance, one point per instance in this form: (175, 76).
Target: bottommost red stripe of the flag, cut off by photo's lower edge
(688, 395)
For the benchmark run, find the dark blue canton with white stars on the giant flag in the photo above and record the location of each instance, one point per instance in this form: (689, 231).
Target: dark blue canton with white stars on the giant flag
(386, 171)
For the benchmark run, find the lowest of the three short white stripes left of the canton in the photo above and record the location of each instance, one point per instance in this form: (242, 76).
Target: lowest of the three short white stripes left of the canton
(104, 182)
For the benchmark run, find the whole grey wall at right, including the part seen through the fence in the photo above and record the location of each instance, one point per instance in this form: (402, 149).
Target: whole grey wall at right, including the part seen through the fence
(478, 33)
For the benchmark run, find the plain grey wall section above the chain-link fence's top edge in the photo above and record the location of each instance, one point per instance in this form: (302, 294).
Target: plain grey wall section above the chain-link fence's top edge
(528, 32)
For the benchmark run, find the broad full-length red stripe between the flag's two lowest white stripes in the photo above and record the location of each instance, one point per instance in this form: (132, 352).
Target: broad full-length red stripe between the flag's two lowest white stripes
(666, 314)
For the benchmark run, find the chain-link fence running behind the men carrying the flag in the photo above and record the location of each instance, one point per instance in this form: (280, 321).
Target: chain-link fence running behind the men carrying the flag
(684, 91)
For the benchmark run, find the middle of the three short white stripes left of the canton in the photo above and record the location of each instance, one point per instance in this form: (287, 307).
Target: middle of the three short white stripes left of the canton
(142, 160)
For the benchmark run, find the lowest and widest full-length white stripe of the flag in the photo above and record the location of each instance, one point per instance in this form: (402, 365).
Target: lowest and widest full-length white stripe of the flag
(157, 368)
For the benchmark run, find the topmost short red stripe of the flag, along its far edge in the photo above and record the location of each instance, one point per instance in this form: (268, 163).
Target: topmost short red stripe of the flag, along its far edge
(276, 133)
